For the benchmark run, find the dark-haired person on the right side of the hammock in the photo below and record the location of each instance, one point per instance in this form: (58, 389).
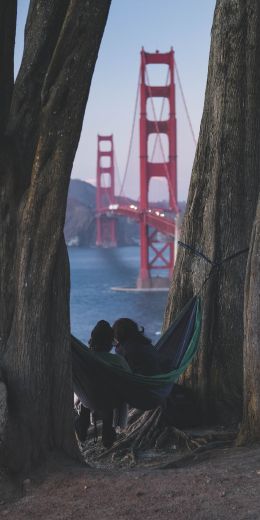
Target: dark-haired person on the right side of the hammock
(136, 348)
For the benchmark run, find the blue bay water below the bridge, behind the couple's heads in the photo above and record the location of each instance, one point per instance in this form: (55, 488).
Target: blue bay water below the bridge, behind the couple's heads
(93, 273)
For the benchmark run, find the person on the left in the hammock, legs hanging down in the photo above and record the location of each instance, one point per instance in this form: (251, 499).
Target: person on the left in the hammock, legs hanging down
(101, 343)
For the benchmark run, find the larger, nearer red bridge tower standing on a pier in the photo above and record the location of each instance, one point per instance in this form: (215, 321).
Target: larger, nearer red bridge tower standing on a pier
(156, 254)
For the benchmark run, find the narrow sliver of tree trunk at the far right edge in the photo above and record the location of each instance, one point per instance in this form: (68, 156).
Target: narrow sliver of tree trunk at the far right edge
(250, 430)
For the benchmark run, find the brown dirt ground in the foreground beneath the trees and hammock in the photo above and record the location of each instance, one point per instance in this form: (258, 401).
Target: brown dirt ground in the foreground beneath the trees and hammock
(219, 484)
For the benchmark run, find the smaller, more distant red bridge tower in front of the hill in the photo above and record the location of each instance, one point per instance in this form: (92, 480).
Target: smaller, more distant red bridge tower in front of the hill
(105, 194)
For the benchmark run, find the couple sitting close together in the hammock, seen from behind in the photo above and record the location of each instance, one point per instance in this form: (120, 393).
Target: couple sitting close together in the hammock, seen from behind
(134, 352)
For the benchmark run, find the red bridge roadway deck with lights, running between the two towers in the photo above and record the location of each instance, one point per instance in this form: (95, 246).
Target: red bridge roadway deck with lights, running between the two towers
(152, 217)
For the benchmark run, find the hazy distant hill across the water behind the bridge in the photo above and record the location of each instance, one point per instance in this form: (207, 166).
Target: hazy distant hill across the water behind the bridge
(80, 224)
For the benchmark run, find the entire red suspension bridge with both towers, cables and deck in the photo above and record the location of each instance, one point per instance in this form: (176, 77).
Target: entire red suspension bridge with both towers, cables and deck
(158, 225)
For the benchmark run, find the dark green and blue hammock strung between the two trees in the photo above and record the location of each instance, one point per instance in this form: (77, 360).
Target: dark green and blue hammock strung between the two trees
(102, 385)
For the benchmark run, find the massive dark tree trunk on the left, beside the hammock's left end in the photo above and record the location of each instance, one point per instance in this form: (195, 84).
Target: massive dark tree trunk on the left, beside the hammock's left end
(37, 144)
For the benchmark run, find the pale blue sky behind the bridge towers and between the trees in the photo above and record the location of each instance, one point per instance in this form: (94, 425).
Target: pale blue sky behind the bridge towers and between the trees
(184, 25)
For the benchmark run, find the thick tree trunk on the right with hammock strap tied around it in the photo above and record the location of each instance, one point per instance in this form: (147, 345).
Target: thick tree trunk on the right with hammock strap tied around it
(221, 208)
